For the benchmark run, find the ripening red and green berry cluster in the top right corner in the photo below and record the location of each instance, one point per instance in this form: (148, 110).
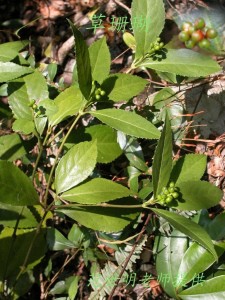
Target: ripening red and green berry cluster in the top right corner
(196, 34)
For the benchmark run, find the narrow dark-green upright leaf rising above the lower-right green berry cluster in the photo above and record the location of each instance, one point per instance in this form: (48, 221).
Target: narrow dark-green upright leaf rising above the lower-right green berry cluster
(162, 161)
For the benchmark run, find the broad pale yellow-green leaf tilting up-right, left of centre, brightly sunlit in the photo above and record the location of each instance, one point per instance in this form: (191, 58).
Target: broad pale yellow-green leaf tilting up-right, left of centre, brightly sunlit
(75, 166)
